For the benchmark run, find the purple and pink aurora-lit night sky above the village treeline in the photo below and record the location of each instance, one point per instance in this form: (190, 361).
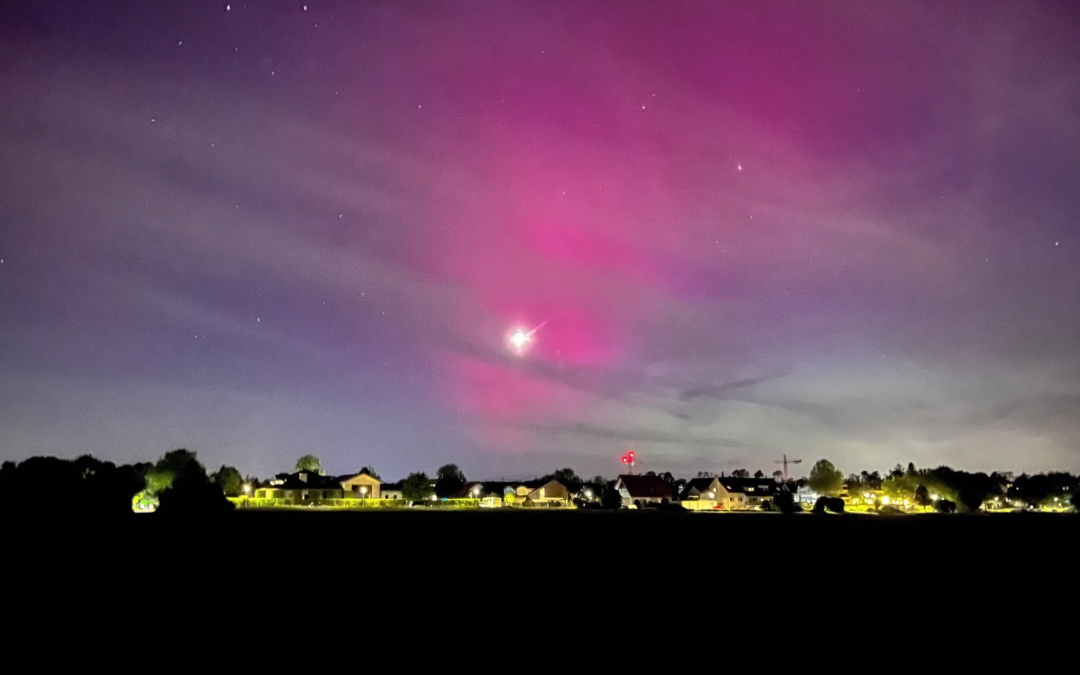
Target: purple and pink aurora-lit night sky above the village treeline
(731, 232)
